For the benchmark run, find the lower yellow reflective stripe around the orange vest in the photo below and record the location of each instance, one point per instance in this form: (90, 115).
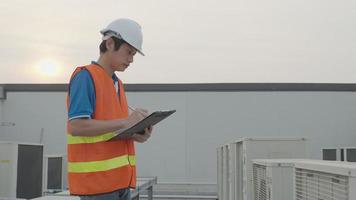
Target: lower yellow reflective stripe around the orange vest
(103, 165)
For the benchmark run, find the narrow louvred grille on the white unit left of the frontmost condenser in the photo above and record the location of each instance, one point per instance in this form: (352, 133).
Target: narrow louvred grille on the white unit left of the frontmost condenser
(259, 180)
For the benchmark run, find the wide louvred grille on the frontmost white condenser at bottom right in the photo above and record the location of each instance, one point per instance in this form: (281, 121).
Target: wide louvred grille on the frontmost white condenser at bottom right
(315, 185)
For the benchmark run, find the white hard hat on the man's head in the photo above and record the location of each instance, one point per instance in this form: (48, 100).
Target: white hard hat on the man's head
(127, 30)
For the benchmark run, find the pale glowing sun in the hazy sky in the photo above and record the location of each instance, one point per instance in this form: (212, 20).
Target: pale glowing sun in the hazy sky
(48, 67)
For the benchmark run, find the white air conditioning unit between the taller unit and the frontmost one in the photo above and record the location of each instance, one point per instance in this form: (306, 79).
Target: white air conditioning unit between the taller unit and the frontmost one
(273, 179)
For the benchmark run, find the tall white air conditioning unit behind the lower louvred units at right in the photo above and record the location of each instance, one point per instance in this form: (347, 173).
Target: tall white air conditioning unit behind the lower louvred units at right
(239, 171)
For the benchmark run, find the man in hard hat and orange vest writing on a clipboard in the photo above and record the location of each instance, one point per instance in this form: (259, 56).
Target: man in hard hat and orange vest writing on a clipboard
(100, 168)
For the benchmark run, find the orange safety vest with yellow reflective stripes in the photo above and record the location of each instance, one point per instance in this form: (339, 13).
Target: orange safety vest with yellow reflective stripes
(96, 165)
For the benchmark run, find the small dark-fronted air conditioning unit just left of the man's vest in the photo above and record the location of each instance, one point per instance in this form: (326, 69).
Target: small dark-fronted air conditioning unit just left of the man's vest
(54, 173)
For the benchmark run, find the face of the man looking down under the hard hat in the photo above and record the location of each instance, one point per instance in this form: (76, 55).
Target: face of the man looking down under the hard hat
(122, 58)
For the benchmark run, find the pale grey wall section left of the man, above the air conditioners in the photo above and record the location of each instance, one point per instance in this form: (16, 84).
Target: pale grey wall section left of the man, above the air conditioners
(32, 111)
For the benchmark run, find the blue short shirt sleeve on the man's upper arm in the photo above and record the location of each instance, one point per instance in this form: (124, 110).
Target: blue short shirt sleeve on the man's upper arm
(81, 96)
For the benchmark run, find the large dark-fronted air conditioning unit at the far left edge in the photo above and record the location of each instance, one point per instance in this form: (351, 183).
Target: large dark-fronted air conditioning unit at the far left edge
(21, 170)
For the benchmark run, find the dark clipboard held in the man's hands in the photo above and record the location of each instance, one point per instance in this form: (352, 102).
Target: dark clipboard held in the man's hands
(140, 126)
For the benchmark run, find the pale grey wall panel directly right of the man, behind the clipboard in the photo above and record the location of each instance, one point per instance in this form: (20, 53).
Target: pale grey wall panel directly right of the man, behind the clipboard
(164, 155)
